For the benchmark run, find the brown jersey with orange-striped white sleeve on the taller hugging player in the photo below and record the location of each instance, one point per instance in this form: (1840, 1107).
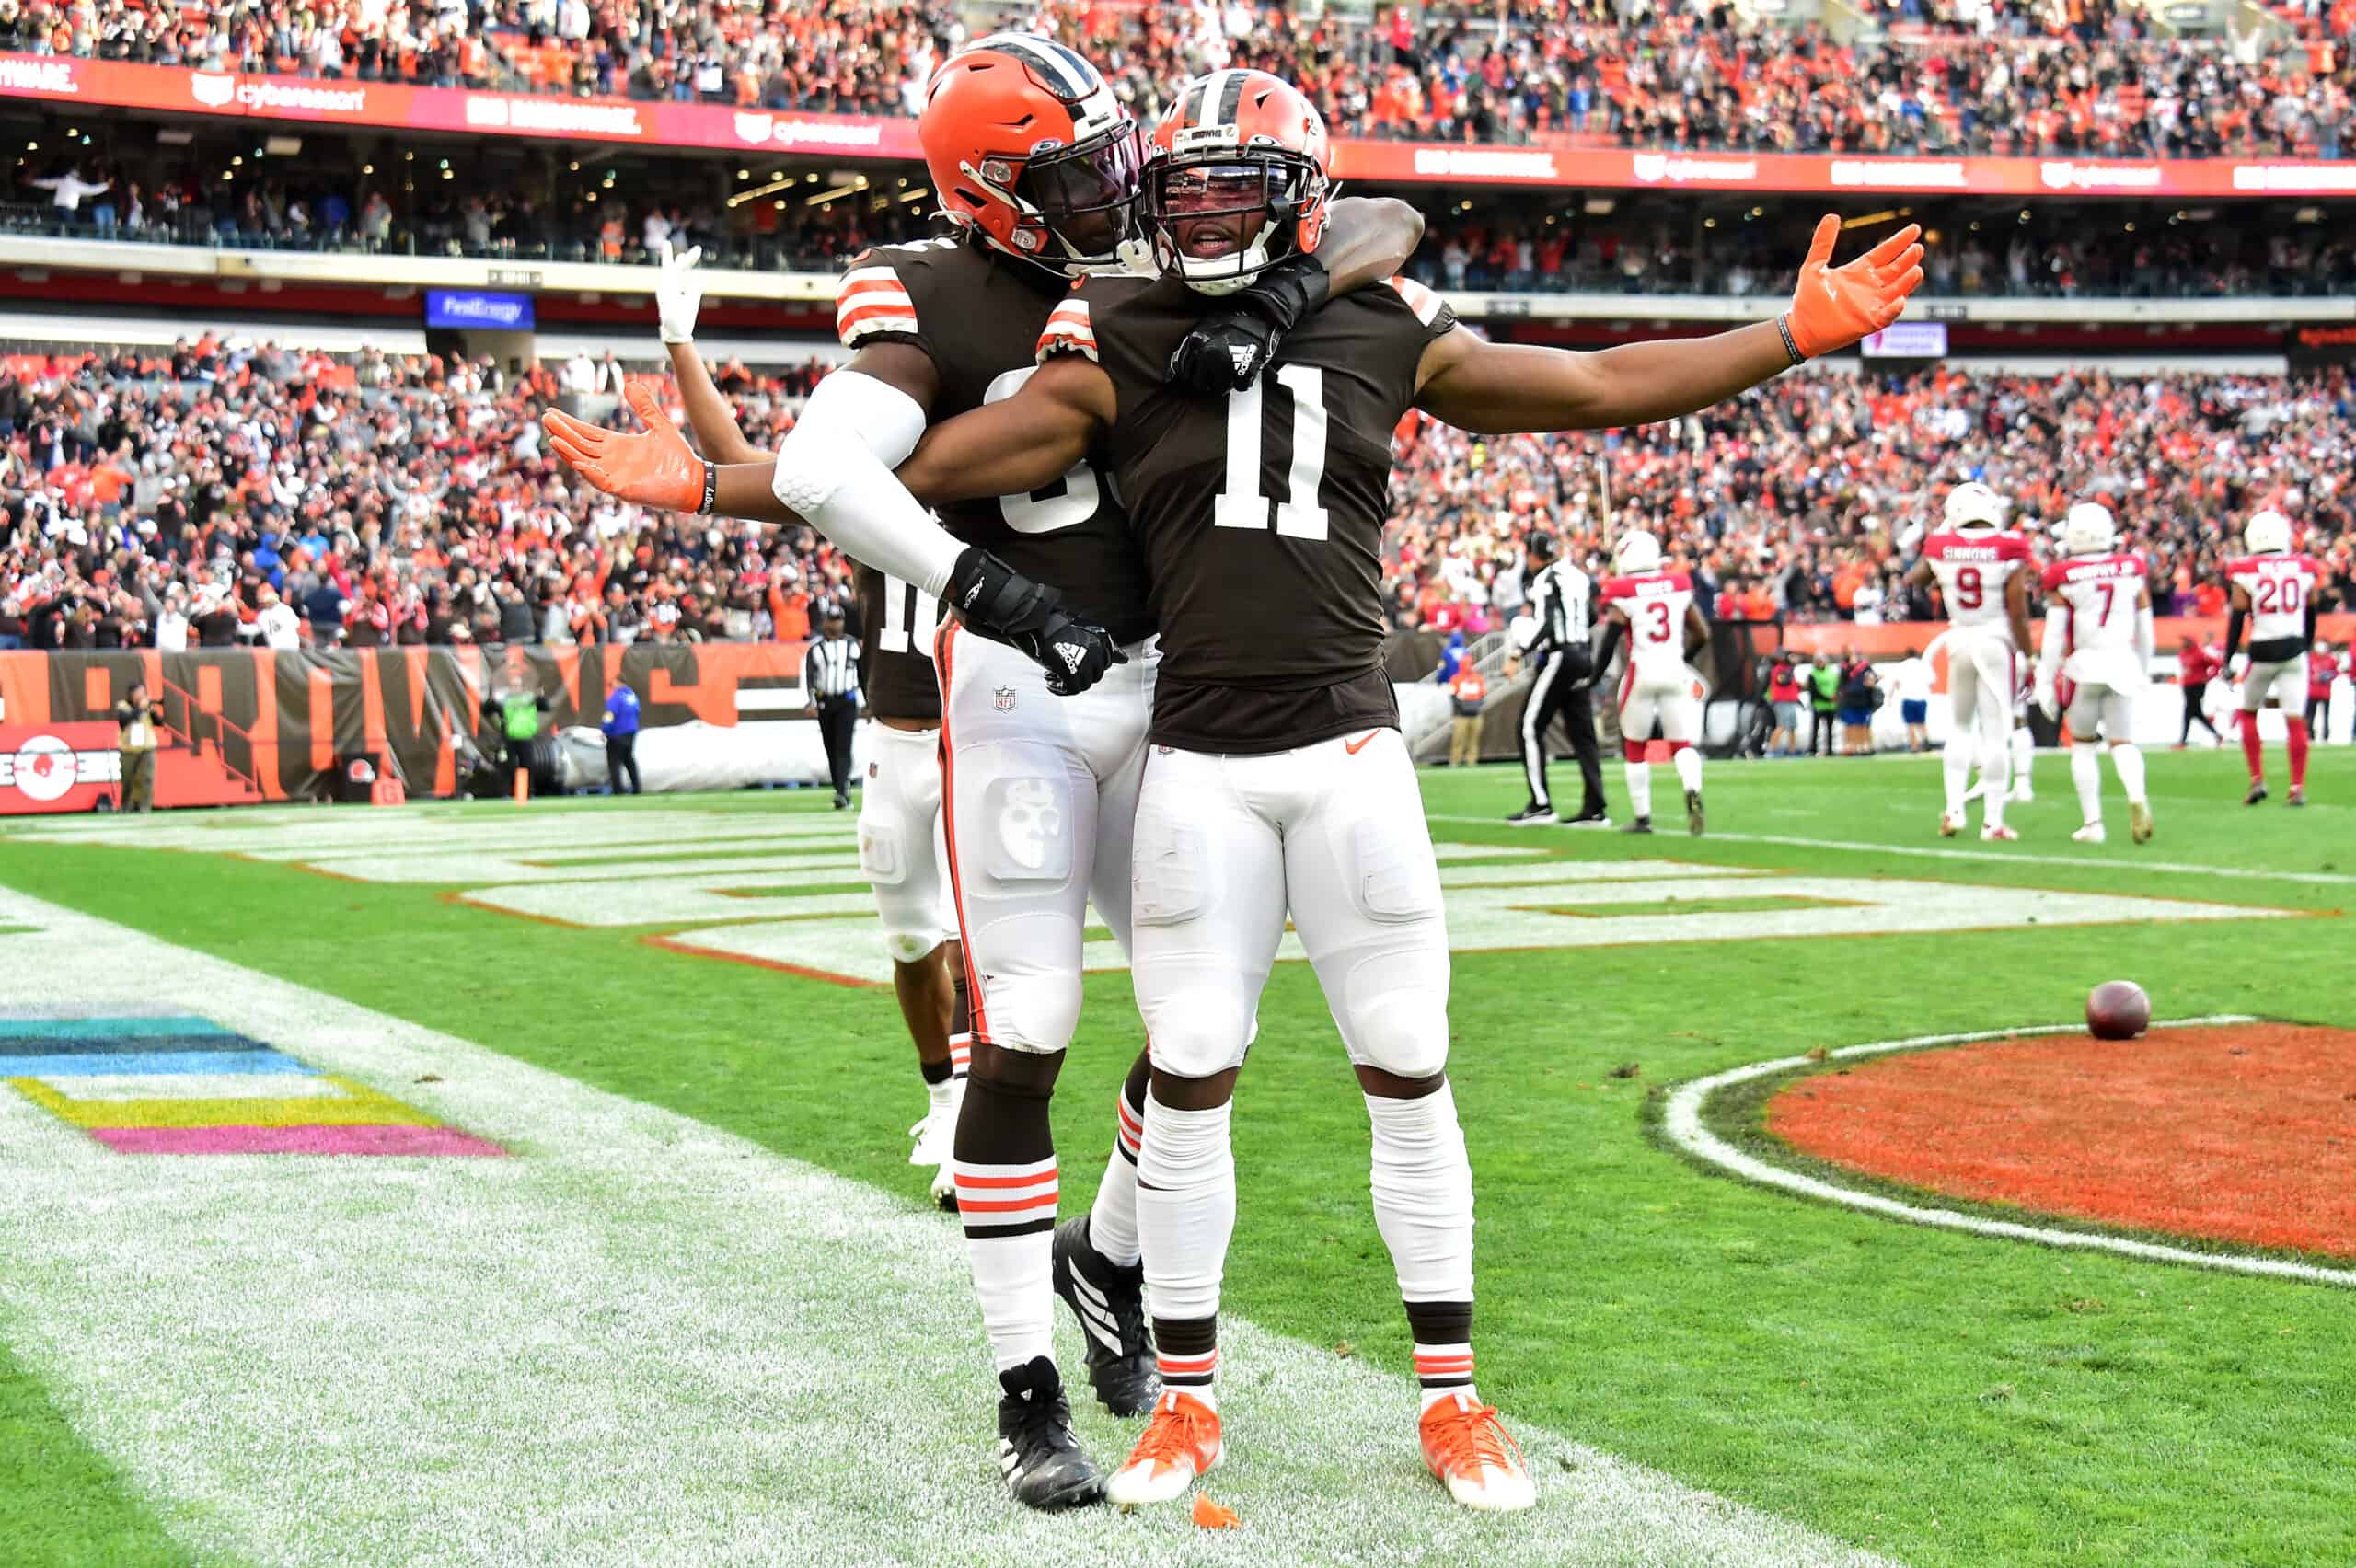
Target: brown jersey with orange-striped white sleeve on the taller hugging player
(979, 319)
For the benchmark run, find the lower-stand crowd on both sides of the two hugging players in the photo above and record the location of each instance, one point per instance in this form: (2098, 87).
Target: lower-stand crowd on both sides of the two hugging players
(409, 500)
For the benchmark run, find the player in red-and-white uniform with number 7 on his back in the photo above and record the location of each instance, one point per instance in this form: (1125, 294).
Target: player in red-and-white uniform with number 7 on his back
(2096, 660)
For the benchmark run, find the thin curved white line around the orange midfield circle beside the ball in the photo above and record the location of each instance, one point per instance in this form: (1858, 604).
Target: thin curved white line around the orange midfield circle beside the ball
(1686, 1129)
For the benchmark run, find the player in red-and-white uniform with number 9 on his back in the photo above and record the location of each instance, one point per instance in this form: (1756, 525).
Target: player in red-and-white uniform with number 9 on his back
(1985, 587)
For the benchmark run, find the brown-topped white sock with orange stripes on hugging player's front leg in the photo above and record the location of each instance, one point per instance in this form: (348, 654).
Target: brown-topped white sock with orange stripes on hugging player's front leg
(1005, 1178)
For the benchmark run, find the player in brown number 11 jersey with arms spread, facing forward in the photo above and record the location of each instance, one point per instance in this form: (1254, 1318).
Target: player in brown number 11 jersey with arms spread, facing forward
(1278, 783)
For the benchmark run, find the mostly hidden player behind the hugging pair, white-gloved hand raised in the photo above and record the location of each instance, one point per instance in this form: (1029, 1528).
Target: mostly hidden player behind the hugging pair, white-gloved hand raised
(901, 844)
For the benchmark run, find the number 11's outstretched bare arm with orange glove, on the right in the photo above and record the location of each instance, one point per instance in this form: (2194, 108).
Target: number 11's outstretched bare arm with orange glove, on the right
(1511, 387)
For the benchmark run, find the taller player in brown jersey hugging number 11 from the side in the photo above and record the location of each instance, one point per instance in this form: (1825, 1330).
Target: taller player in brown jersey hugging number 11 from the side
(1035, 161)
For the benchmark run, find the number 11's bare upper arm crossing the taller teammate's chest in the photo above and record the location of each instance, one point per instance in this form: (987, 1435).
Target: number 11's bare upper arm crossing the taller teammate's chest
(1019, 444)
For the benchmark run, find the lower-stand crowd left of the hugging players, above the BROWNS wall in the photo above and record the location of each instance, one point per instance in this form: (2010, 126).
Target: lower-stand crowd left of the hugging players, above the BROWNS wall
(237, 493)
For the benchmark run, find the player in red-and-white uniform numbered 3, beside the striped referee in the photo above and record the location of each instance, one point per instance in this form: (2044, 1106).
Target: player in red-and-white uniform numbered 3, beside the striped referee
(1660, 691)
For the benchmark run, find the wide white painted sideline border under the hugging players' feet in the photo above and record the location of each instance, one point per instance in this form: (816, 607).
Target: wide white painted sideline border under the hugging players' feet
(637, 1341)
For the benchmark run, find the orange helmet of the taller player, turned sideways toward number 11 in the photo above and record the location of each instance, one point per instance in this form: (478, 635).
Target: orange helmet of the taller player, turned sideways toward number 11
(1031, 150)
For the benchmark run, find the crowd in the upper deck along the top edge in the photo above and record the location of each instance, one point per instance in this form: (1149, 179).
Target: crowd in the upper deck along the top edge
(1950, 74)
